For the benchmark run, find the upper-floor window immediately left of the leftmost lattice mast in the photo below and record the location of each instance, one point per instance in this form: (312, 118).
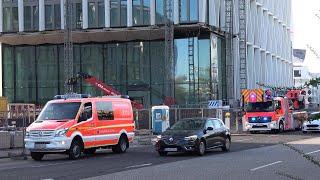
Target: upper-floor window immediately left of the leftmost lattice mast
(52, 14)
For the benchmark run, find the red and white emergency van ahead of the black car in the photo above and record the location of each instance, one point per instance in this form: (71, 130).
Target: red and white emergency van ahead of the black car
(76, 125)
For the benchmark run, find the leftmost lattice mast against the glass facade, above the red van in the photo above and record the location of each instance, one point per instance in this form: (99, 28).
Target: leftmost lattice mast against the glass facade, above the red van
(68, 44)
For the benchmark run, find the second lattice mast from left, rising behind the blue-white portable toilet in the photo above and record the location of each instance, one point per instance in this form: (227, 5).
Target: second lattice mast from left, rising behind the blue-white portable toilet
(169, 47)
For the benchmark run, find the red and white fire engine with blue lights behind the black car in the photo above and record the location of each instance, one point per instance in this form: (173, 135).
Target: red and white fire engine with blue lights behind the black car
(268, 113)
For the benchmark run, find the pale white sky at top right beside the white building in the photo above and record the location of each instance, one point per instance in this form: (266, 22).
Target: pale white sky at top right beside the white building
(306, 30)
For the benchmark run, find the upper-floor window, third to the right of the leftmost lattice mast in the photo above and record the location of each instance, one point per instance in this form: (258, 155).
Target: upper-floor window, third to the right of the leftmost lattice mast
(118, 13)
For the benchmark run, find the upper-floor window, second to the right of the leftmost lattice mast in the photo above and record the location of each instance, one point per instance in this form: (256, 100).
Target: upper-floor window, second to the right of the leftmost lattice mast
(95, 13)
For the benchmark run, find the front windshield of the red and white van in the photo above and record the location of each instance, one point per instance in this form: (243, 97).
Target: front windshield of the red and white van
(60, 111)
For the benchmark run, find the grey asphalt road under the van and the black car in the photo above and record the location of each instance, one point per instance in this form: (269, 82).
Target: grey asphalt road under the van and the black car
(248, 152)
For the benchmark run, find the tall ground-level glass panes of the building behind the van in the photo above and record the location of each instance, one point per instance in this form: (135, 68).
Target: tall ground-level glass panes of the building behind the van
(36, 73)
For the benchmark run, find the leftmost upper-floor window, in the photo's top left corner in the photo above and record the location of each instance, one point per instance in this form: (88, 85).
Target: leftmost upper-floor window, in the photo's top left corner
(10, 16)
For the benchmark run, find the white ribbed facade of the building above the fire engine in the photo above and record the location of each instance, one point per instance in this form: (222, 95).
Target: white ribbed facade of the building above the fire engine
(269, 53)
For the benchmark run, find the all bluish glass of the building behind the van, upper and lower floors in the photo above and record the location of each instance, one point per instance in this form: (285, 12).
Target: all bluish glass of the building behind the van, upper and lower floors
(35, 73)
